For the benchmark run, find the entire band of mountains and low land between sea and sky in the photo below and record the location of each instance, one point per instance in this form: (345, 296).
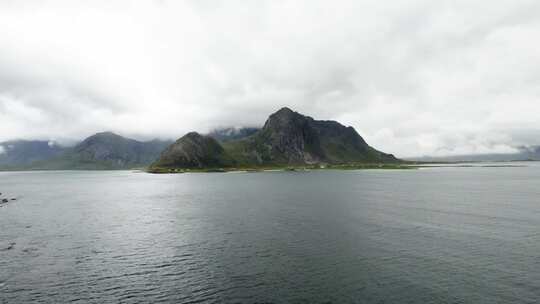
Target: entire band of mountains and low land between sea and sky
(287, 138)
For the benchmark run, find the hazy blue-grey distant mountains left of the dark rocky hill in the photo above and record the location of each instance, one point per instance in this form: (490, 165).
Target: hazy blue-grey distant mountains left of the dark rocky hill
(104, 150)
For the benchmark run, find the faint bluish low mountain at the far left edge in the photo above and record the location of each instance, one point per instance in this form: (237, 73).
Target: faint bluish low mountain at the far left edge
(18, 153)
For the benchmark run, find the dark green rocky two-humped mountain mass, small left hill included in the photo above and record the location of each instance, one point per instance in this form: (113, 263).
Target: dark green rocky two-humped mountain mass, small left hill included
(287, 138)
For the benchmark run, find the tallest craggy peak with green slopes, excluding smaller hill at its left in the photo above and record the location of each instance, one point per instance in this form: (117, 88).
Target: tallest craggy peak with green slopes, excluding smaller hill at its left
(292, 138)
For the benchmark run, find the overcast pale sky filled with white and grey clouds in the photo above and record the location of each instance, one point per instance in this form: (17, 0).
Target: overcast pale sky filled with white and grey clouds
(413, 77)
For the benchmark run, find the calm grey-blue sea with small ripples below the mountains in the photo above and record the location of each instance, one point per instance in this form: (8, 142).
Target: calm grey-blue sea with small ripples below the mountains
(437, 235)
